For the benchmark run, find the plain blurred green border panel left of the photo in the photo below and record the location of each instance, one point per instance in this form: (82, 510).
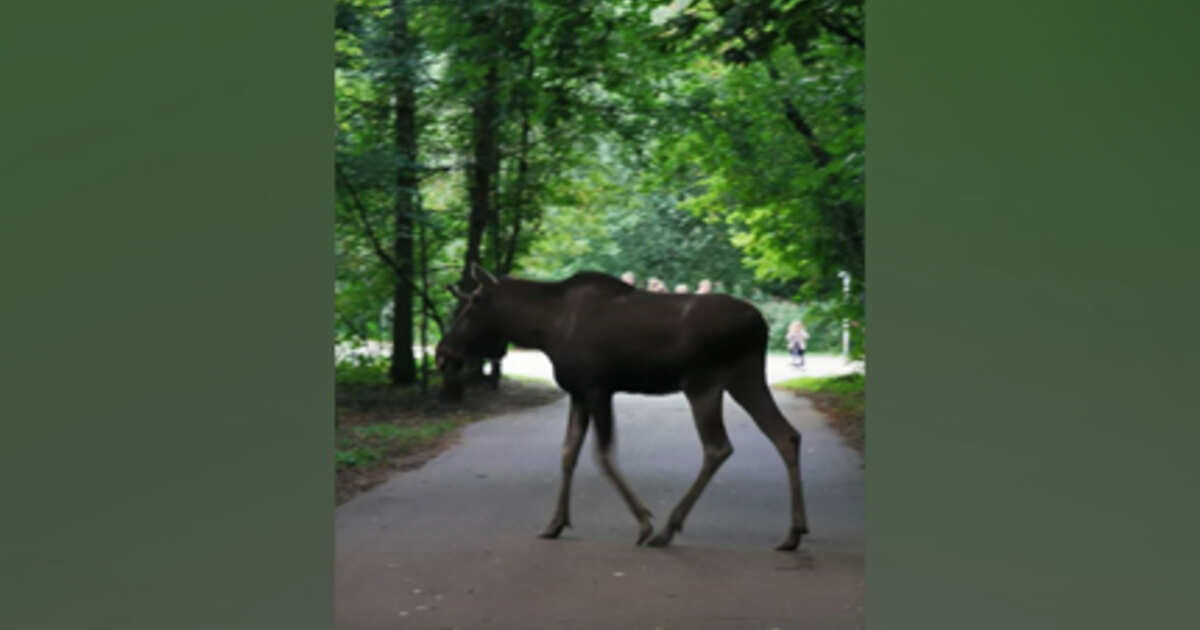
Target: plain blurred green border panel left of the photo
(166, 176)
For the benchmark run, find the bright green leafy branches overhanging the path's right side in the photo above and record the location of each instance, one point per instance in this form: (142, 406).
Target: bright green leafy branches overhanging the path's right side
(777, 136)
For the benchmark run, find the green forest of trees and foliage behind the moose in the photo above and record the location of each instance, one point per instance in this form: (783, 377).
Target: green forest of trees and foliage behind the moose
(681, 141)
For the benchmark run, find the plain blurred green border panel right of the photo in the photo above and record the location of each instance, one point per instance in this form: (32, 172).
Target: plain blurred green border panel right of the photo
(1033, 311)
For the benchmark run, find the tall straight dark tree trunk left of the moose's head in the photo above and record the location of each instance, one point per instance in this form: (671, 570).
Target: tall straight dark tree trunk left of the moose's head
(403, 369)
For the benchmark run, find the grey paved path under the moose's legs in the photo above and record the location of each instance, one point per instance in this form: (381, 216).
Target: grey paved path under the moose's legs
(454, 544)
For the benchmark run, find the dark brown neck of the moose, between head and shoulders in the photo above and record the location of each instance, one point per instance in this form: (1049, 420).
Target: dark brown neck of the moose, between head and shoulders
(530, 311)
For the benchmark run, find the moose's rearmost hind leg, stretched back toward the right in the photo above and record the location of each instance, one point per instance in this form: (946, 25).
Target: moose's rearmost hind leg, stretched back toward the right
(754, 397)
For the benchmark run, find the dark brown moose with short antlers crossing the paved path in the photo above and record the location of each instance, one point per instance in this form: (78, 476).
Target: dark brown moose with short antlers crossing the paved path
(604, 337)
